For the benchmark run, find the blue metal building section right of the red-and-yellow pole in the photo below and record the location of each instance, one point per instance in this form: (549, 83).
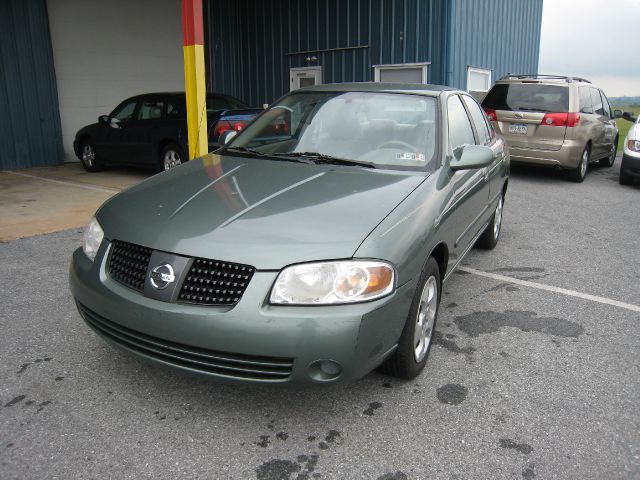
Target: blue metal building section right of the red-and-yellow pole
(259, 50)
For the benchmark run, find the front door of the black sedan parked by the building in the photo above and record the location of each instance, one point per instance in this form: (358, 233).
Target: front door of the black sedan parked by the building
(110, 146)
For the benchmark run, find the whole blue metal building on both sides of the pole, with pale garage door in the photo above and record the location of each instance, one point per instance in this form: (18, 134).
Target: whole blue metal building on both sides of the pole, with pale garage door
(65, 62)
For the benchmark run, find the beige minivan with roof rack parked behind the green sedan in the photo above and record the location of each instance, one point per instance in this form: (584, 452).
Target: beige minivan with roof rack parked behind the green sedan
(553, 120)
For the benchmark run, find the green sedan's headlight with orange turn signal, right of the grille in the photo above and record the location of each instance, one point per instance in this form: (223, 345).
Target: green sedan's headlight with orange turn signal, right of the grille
(327, 283)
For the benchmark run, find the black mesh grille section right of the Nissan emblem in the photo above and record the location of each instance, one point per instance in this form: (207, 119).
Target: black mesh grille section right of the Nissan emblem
(212, 282)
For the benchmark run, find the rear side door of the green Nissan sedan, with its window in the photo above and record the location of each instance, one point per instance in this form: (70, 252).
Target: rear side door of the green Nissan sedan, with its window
(487, 137)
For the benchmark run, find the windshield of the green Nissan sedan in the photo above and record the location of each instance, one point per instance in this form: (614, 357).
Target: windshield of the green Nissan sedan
(382, 130)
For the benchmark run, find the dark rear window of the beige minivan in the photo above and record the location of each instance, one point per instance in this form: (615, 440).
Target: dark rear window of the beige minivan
(528, 97)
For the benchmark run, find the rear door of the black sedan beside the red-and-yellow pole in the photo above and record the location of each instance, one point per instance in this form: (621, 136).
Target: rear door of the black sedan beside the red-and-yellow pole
(142, 134)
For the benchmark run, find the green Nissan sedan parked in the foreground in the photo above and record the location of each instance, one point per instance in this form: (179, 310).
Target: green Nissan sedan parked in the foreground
(312, 248)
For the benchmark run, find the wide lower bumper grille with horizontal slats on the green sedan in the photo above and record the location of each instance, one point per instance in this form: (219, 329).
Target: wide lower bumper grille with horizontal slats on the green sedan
(194, 358)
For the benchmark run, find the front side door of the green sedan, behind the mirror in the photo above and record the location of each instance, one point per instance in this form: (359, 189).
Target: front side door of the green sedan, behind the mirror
(470, 187)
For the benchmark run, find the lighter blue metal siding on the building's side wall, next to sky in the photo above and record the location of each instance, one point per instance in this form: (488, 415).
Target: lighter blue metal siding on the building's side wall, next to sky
(499, 35)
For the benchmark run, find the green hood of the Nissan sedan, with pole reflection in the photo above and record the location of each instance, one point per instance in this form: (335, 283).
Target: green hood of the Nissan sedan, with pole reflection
(260, 212)
